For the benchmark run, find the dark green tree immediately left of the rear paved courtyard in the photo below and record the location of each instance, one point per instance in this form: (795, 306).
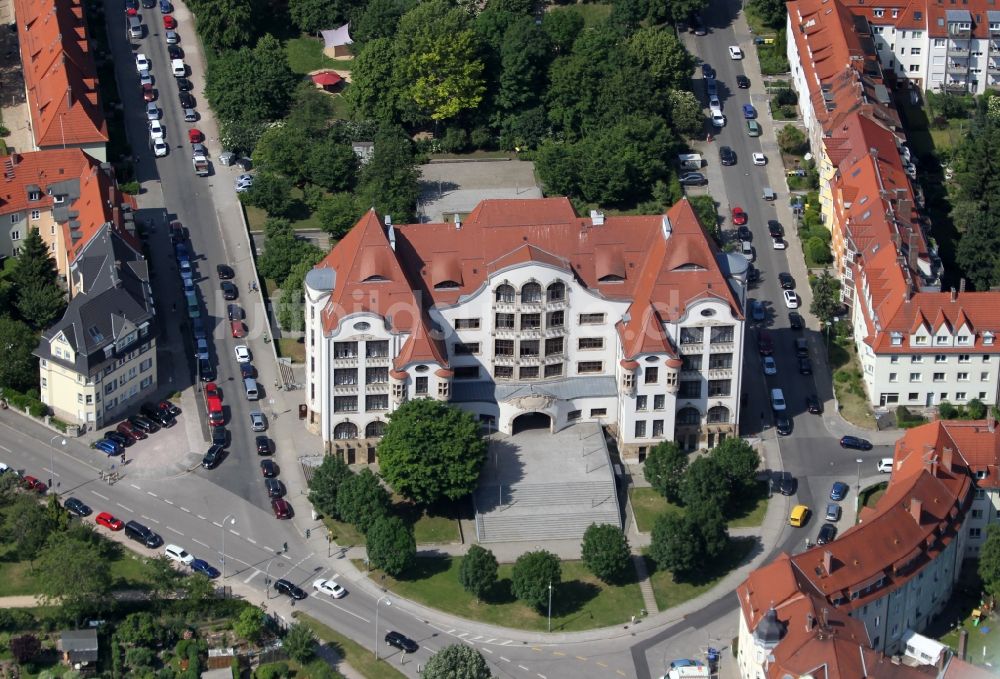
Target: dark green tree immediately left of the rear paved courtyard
(389, 181)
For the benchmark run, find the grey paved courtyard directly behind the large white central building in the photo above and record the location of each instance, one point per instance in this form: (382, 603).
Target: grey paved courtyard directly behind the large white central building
(450, 187)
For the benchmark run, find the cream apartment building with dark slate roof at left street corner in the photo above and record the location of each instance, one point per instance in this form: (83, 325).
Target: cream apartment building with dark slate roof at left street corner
(99, 360)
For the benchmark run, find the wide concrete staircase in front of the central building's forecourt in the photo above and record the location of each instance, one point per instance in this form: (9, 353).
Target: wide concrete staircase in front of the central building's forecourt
(544, 511)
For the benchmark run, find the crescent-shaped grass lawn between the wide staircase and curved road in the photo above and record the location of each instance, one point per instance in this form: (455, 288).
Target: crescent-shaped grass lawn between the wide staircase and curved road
(580, 602)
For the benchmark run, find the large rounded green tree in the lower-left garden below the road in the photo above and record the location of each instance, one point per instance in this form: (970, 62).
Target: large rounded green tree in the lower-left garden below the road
(73, 574)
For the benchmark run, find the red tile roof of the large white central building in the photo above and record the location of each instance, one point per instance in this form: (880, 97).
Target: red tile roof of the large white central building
(623, 258)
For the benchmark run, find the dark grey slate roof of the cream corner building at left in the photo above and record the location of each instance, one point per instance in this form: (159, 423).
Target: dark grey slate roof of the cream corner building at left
(115, 301)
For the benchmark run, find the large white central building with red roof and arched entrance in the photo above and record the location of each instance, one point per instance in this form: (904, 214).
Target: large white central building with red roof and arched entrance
(525, 314)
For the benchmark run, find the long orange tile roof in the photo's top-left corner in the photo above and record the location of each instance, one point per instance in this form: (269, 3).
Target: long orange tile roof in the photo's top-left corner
(59, 73)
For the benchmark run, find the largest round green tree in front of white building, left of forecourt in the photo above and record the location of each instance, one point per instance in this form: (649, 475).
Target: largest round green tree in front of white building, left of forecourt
(431, 451)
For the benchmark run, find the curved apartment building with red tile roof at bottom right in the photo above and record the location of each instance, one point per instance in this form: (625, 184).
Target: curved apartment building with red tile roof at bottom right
(852, 602)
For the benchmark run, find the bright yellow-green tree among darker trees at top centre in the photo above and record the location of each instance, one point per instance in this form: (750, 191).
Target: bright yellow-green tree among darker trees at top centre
(436, 56)
